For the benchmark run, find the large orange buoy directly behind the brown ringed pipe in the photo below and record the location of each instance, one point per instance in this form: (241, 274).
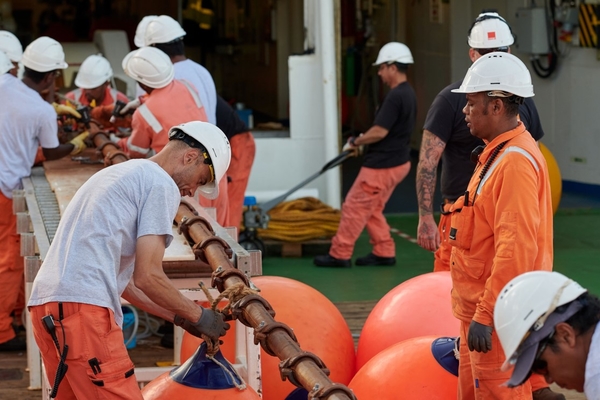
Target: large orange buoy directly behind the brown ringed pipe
(318, 325)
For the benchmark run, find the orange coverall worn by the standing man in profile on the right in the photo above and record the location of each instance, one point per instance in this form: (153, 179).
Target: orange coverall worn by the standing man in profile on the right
(502, 230)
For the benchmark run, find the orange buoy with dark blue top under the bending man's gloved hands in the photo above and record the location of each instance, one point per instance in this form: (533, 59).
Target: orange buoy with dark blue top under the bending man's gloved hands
(200, 378)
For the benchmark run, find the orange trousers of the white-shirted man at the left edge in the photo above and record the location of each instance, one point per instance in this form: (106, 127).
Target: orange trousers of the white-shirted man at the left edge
(11, 267)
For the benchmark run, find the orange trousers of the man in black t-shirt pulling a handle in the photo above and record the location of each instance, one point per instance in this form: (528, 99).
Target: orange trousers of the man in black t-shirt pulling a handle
(363, 206)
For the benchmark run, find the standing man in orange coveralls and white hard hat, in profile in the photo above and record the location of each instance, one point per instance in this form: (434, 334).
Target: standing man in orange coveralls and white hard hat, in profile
(502, 225)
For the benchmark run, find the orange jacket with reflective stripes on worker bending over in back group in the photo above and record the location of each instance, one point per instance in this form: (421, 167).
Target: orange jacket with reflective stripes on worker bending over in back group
(164, 108)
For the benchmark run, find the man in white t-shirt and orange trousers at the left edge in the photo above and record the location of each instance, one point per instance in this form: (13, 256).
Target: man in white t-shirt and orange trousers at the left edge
(26, 123)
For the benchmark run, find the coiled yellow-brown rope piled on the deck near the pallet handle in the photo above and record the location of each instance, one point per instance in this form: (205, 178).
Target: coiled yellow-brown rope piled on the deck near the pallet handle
(301, 220)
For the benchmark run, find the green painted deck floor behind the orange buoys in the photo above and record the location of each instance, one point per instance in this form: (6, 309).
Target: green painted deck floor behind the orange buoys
(576, 254)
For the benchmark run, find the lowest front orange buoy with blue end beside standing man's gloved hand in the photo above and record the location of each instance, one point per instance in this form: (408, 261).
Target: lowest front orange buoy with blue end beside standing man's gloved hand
(408, 371)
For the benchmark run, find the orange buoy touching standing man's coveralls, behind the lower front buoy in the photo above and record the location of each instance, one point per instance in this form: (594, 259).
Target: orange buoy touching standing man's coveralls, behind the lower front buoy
(420, 306)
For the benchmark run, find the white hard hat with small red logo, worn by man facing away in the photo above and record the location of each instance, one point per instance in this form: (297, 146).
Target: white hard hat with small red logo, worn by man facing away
(490, 31)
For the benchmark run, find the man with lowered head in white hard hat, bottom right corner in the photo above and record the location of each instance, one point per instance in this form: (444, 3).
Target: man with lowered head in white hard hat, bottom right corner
(548, 325)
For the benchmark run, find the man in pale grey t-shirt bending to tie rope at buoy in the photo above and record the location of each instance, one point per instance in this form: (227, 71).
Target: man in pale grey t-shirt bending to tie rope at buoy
(110, 243)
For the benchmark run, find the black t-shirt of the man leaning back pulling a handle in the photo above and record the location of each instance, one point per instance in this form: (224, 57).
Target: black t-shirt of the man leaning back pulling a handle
(397, 114)
